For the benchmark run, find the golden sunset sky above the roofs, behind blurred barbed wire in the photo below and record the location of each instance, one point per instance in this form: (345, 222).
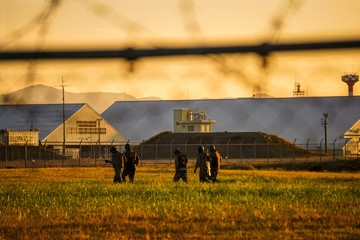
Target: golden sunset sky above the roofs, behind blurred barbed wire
(117, 24)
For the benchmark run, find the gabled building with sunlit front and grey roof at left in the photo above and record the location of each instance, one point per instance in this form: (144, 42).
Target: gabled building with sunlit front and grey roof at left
(84, 127)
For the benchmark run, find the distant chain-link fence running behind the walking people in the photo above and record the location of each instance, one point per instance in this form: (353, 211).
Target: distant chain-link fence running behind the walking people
(247, 153)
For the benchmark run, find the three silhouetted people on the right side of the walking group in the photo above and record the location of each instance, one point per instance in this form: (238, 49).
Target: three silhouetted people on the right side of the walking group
(209, 165)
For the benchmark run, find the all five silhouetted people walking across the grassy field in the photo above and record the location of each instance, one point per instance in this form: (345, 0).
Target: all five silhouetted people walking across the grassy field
(209, 164)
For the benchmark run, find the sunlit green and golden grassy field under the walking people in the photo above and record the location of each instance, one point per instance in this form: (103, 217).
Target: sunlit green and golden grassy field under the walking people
(83, 203)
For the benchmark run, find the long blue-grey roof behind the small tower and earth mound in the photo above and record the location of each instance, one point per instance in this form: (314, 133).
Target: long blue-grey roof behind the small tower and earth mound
(291, 118)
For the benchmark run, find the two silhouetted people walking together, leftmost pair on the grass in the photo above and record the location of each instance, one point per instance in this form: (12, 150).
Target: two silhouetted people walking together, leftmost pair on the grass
(129, 160)
